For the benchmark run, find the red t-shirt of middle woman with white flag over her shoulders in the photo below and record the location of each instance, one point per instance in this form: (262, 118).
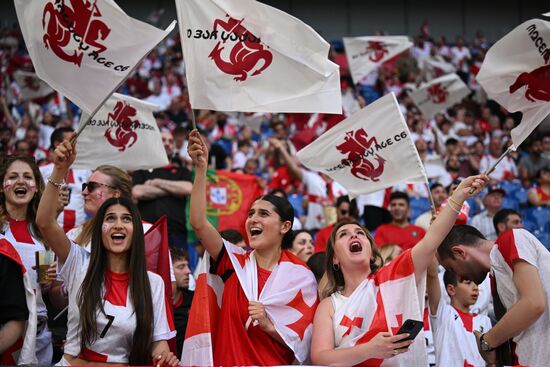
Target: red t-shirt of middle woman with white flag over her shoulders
(234, 345)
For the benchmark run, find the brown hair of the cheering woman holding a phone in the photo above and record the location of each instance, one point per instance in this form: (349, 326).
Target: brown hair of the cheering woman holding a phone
(335, 278)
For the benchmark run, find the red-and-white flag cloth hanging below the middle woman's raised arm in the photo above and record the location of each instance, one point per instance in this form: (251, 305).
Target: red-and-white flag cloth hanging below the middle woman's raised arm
(198, 346)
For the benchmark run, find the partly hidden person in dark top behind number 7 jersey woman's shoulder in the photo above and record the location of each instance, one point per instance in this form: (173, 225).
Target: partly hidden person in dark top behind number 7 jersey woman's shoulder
(182, 297)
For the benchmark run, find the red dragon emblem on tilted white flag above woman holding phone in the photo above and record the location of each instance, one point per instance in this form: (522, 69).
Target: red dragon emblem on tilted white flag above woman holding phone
(355, 146)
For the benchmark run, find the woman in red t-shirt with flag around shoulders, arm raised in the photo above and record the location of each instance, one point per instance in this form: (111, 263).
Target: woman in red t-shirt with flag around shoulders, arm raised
(264, 315)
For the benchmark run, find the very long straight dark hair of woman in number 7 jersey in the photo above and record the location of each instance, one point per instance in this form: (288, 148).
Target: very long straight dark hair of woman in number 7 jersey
(89, 297)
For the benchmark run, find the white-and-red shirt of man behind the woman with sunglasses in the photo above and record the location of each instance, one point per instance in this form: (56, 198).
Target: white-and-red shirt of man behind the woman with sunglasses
(73, 215)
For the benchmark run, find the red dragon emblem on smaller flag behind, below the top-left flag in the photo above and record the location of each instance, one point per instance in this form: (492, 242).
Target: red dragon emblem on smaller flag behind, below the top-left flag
(125, 135)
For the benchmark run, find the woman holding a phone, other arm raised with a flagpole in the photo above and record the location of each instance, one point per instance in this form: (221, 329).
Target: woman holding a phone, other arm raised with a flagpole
(365, 304)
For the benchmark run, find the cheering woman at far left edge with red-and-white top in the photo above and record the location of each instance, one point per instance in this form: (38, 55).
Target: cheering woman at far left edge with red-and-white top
(22, 188)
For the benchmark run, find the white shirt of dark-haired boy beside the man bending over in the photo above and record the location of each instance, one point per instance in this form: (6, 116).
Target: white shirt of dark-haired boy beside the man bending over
(454, 340)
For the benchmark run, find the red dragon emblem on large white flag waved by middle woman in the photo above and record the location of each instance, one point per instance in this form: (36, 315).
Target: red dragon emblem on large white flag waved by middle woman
(246, 54)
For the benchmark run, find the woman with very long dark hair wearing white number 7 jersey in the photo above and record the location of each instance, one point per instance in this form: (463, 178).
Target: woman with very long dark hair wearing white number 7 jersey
(117, 310)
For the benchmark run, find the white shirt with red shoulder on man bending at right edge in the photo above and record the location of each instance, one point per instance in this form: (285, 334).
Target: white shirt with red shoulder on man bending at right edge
(533, 344)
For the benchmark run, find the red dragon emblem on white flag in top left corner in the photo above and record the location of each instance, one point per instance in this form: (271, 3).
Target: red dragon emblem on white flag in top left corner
(78, 22)
